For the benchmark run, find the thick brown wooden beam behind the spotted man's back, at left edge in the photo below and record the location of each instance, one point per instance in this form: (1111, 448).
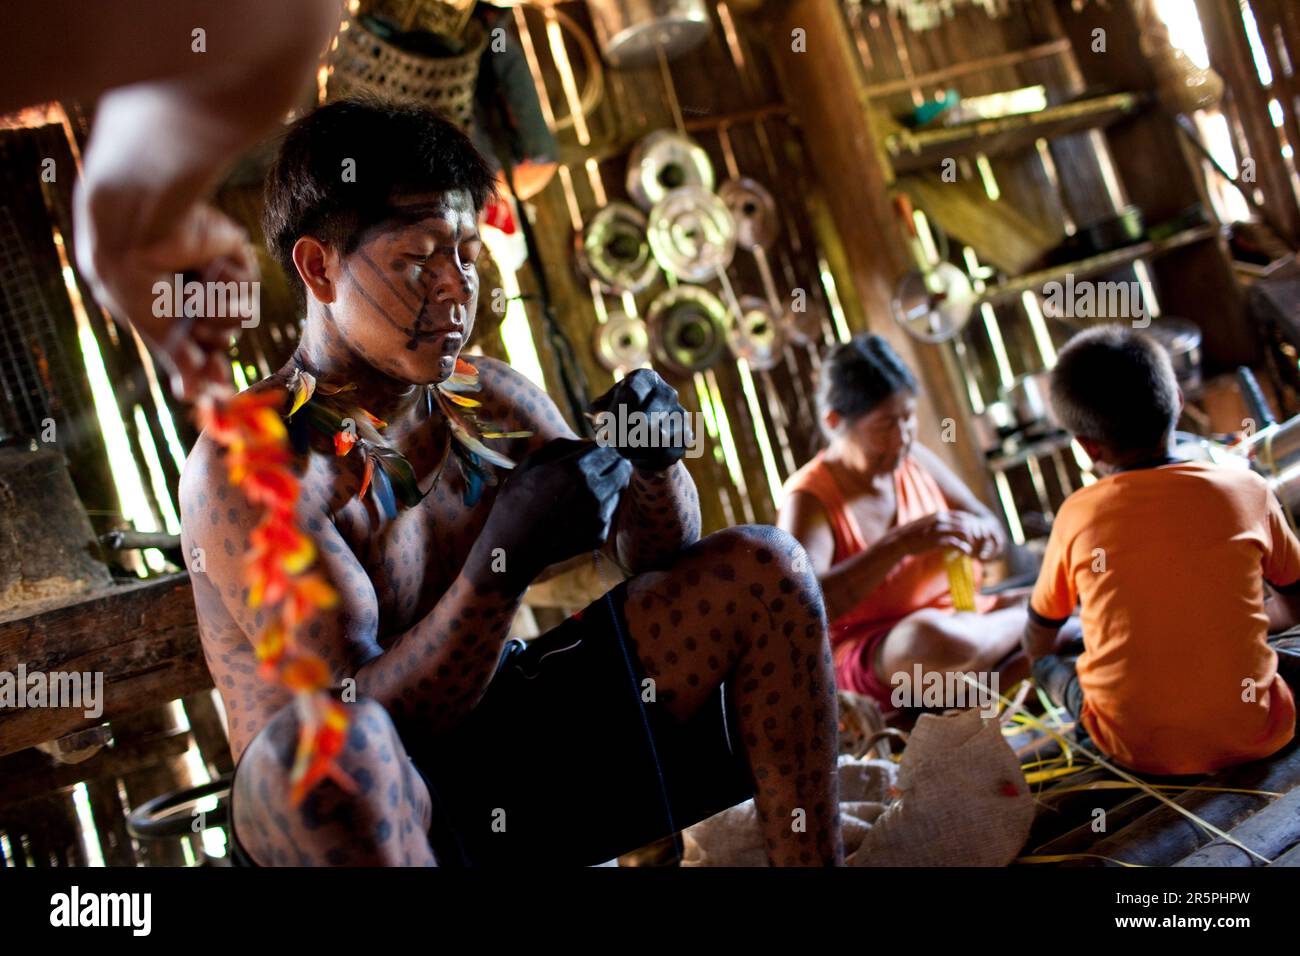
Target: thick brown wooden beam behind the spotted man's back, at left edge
(144, 639)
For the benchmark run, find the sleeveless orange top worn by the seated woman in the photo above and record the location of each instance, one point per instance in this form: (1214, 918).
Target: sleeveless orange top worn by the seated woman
(918, 581)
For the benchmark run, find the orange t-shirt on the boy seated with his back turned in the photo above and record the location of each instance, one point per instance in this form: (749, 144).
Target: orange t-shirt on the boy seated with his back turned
(1169, 565)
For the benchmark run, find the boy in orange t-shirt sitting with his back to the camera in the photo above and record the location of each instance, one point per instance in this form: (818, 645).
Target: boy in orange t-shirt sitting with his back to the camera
(1175, 565)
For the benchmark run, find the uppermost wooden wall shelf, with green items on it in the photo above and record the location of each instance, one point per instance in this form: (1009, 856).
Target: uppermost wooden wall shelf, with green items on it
(913, 152)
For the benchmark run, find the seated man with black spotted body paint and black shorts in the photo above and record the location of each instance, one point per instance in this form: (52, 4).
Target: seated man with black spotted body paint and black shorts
(703, 680)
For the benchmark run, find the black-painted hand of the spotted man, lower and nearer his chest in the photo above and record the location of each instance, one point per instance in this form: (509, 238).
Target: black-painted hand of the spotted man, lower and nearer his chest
(558, 504)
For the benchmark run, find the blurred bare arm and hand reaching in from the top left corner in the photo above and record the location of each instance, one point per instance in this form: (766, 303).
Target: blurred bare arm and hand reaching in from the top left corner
(184, 88)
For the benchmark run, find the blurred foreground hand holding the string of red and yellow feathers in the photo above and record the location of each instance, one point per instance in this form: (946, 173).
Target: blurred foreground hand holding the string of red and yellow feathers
(125, 271)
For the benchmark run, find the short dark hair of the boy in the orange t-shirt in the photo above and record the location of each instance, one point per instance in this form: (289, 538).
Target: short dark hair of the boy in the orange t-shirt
(1117, 387)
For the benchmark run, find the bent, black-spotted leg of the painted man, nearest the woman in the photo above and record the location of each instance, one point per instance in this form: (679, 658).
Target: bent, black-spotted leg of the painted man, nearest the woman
(743, 607)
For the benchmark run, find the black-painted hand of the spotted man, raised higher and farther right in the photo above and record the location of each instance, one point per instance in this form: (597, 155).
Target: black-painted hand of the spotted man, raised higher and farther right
(644, 422)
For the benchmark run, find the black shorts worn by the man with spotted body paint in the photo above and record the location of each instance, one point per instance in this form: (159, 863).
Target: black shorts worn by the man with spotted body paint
(571, 760)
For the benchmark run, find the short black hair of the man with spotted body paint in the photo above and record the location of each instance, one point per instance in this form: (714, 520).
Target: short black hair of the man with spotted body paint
(397, 149)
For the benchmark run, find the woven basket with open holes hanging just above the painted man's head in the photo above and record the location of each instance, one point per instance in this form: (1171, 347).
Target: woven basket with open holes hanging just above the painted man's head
(366, 63)
